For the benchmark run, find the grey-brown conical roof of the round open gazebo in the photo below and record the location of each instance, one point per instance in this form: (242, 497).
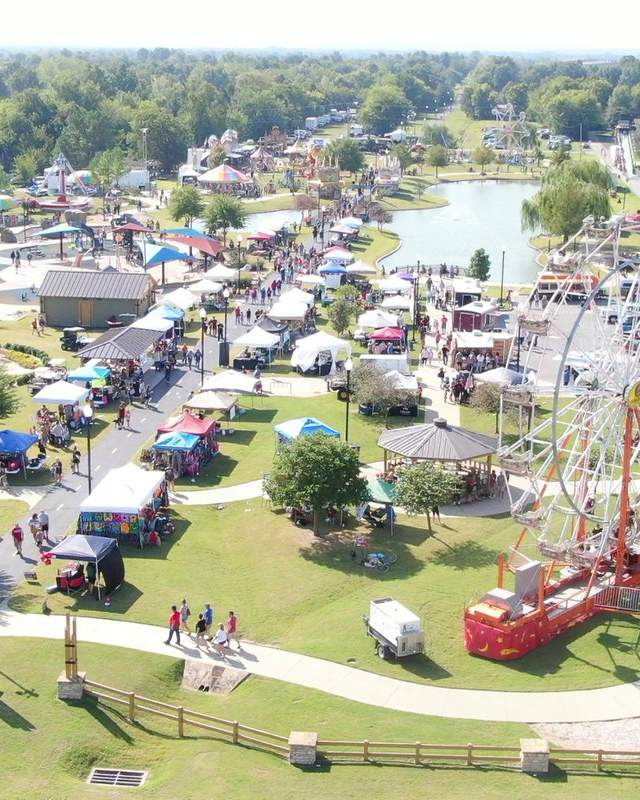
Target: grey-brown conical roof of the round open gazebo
(438, 441)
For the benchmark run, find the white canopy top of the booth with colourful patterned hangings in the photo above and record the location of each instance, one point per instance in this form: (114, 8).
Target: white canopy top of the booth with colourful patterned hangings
(125, 490)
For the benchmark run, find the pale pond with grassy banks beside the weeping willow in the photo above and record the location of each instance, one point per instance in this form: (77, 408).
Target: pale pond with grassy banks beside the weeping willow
(480, 214)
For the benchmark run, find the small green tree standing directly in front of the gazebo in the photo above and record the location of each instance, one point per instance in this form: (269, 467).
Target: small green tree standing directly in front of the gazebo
(423, 487)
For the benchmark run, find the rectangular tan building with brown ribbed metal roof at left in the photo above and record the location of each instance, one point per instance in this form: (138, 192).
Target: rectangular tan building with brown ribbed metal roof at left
(90, 298)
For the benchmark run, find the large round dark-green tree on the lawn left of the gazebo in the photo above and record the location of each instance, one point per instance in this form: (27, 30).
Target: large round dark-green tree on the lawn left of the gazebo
(316, 471)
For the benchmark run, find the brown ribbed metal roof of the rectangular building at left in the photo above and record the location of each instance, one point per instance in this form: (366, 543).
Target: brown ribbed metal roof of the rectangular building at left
(95, 285)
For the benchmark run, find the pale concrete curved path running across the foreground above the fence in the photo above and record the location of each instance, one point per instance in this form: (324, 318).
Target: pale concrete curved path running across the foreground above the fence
(615, 702)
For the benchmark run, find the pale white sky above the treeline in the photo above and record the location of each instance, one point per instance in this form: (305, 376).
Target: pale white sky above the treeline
(496, 25)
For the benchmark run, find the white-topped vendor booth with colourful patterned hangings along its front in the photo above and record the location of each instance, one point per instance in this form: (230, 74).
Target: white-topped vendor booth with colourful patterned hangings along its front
(126, 505)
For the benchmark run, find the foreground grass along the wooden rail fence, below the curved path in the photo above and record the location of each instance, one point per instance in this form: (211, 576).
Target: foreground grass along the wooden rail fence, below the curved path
(65, 740)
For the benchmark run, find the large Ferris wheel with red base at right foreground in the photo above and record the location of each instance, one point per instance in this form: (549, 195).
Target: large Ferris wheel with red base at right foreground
(574, 482)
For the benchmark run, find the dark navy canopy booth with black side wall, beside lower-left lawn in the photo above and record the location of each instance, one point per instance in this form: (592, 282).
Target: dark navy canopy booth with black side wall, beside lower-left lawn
(103, 554)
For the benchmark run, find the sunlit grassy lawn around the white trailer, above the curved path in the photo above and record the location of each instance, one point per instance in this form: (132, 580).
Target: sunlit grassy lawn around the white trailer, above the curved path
(296, 591)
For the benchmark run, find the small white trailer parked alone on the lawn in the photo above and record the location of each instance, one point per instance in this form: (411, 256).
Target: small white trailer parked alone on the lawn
(396, 630)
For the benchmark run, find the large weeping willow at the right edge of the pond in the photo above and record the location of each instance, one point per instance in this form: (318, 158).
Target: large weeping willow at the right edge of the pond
(570, 192)
